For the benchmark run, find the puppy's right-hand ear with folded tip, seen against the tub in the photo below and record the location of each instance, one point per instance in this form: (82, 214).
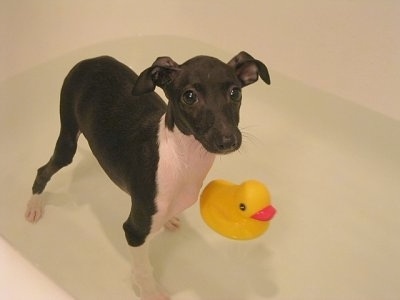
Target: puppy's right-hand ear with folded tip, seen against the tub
(248, 69)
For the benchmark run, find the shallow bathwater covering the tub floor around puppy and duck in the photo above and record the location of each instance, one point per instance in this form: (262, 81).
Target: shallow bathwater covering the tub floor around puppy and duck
(332, 167)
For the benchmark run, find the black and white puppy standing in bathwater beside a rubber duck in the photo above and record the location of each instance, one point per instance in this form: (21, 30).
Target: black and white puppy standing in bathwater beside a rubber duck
(159, 153)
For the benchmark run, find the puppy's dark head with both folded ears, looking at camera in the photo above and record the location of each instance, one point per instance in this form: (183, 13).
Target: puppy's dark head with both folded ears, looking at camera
(204, 96)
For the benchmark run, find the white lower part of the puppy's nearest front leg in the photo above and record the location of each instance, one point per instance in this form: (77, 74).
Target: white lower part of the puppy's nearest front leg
(142, 273)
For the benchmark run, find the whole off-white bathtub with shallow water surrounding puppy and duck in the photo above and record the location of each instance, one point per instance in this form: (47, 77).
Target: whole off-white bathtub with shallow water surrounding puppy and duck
(317, 137)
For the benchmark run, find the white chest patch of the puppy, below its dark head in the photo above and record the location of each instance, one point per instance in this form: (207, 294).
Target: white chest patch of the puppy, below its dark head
(183, 165)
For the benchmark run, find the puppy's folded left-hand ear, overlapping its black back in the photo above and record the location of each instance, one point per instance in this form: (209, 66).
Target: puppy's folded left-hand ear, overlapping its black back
(162, 72)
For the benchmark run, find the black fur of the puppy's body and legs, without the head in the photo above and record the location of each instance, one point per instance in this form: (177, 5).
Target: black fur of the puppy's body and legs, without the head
(96, 100)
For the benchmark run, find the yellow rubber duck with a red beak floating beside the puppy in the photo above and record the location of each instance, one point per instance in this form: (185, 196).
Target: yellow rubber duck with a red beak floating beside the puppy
(240, 212)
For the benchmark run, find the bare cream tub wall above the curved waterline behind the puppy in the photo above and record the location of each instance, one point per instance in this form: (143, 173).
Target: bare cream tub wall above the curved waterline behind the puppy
(348, 48)
